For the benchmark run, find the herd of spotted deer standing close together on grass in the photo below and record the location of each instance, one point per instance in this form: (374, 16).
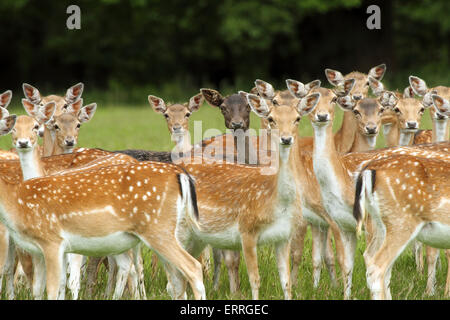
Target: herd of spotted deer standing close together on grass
(59, 204)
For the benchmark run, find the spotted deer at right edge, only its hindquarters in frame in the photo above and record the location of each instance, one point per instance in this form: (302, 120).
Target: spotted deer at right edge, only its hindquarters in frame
(407, 198)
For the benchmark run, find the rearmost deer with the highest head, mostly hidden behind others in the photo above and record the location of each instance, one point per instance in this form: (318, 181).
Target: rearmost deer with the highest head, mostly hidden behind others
(345, 136)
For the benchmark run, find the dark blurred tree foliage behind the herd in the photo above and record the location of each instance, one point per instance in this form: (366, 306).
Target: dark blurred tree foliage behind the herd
(131, 48)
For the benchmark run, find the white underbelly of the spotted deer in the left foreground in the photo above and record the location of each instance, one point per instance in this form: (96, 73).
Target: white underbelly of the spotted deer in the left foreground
(114, 243)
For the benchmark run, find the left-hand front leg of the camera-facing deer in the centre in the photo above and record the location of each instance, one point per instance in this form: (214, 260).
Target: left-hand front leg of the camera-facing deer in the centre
(249, 248)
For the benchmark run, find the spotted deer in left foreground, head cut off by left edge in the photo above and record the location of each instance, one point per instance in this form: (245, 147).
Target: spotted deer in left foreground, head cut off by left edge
(60, 213)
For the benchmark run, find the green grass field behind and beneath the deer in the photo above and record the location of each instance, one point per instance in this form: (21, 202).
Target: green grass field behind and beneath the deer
(115, 128)
